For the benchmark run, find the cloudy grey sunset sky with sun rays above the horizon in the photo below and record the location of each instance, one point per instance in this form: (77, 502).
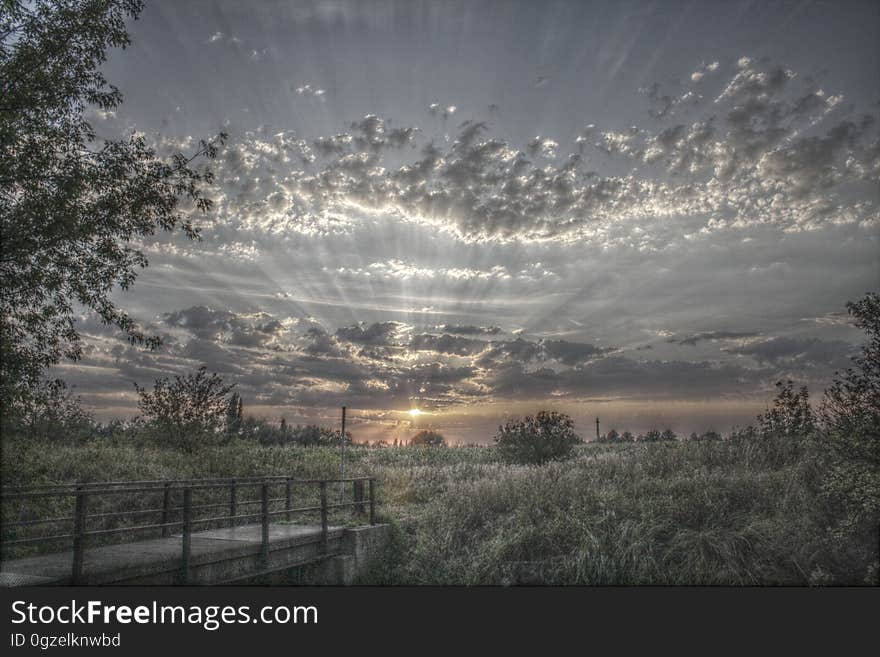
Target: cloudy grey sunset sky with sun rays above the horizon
(647, 212)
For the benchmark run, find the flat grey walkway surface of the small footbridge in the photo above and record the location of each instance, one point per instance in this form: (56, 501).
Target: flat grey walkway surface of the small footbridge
(140, 560)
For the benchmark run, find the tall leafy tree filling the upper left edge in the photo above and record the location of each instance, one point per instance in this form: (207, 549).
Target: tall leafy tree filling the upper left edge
(73, 208)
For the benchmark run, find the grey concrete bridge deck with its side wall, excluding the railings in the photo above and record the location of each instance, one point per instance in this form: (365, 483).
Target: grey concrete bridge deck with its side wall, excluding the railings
(218, 556)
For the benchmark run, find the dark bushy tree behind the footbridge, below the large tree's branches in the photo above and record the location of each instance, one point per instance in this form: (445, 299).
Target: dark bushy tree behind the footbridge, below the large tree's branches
(186, 412)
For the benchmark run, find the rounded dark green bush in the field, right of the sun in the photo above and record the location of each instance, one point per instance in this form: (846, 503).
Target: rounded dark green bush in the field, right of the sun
(548, 436)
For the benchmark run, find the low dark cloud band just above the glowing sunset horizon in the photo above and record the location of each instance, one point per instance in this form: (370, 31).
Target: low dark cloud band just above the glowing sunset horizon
(279, 360)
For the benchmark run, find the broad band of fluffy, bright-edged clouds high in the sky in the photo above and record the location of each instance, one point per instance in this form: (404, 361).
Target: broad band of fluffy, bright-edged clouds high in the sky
(769, 150)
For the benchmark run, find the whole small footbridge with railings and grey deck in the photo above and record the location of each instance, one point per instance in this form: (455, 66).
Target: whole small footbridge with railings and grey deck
(207, 532)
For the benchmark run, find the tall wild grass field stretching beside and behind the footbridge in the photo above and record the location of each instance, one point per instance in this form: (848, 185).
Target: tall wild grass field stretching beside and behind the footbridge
(709, 512)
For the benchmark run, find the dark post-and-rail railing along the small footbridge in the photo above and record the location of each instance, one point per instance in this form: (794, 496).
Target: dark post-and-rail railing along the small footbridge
(181, 506)
